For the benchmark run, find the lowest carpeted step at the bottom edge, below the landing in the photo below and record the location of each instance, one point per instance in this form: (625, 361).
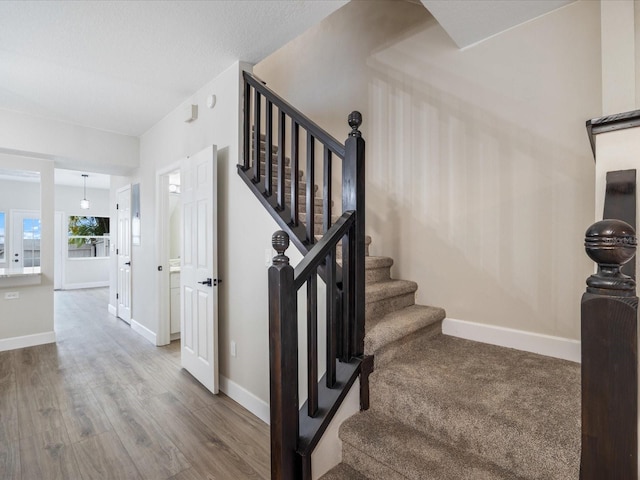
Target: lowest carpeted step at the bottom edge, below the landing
(388, 449)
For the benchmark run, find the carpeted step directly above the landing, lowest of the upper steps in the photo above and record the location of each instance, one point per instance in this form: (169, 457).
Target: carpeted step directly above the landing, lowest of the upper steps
(396, 325)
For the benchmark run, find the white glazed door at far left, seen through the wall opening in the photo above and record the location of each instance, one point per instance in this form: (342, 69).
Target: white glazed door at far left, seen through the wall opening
(25, 239)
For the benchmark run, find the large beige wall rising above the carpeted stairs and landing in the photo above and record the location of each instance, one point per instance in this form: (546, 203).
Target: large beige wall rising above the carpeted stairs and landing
(479, 172)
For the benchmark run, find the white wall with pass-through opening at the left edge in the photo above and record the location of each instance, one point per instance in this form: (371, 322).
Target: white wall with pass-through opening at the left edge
(28, 320)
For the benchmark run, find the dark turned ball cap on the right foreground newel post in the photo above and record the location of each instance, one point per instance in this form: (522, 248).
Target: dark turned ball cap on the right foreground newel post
(610, 243)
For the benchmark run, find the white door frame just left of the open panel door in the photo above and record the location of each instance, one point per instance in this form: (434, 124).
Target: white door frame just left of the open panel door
(162, 251)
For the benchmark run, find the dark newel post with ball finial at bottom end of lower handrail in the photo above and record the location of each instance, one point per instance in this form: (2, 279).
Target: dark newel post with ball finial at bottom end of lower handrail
(283, 362)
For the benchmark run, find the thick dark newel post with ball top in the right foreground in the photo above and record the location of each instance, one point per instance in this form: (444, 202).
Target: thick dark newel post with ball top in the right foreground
(610, 357)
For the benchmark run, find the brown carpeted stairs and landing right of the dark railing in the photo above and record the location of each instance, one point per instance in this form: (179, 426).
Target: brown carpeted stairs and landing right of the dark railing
(446, 408)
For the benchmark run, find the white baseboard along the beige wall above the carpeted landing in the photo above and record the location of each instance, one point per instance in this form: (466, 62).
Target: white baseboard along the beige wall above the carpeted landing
(548, 345)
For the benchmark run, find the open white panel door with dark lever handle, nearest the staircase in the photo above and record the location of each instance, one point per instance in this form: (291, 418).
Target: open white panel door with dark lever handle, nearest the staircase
(199, 268)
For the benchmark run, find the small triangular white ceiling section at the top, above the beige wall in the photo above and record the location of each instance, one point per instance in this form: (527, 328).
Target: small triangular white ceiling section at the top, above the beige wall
(468, 22)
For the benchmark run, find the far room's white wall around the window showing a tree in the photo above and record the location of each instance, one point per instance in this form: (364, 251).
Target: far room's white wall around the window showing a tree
(82, 272)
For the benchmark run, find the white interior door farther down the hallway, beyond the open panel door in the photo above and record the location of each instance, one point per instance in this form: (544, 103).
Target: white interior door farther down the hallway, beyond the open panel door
(123, 252)
